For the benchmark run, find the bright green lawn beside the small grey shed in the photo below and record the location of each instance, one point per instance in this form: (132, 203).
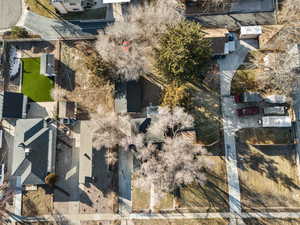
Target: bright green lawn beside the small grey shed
(36, 86)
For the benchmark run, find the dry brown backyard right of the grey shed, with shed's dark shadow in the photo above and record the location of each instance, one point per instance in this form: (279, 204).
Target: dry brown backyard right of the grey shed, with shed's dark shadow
(76, 78)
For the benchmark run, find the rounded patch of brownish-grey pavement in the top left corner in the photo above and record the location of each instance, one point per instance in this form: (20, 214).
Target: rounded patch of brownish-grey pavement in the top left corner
(10, 12)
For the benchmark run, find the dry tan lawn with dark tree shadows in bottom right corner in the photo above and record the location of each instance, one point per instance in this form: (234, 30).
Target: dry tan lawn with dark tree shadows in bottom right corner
(268, 178)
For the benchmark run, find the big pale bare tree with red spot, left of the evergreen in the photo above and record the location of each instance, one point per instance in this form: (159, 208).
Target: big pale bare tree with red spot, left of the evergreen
(128, 44)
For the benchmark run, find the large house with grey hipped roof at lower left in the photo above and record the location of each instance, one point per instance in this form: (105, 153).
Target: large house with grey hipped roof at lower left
(33, 155)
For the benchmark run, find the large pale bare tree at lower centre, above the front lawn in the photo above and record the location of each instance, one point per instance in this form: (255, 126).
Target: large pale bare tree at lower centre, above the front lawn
(177, 163)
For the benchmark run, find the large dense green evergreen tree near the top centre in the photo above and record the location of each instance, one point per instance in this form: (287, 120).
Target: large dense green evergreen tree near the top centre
(183, 53)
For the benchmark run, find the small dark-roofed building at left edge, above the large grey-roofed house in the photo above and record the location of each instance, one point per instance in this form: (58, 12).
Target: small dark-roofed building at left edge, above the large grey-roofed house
(13, 105)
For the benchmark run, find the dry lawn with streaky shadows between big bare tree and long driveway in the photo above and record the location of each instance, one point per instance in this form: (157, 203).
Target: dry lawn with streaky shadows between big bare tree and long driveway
(213, 196)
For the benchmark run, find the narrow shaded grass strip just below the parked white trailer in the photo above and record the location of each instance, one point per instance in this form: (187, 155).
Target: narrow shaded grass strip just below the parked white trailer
(265, 135)
